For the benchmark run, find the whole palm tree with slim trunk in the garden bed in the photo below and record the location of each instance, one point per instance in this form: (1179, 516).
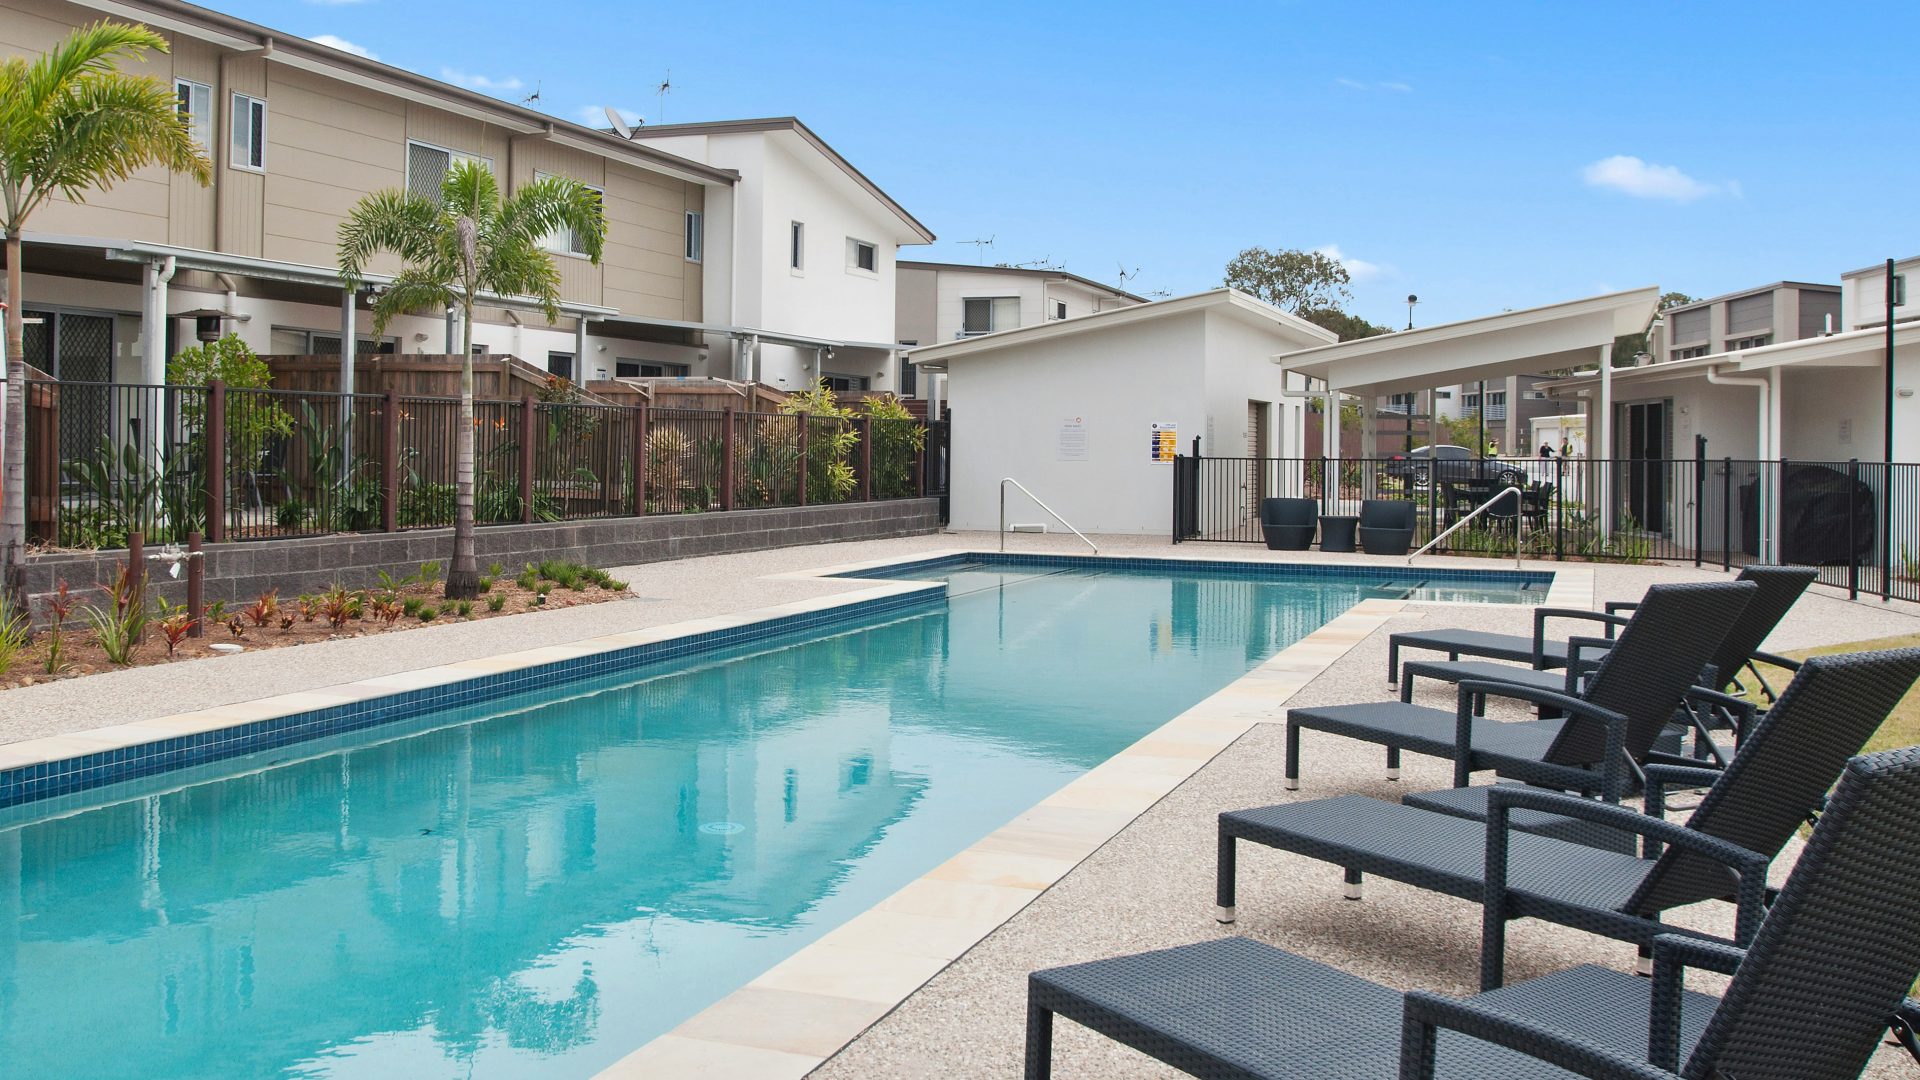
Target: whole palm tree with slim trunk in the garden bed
(454, 249)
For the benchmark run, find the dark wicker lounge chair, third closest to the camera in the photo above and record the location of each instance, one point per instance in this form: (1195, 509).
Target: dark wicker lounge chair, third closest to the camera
(1606, 731)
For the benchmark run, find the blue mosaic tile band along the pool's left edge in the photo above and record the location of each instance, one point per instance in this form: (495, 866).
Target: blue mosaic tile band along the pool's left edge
(32, 783)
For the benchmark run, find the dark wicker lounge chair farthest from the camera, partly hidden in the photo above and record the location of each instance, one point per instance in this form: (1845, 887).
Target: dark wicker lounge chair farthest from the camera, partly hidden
(1781, 589)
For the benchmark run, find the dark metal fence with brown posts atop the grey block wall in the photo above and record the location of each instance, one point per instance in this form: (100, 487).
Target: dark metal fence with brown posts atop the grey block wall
(107, 460)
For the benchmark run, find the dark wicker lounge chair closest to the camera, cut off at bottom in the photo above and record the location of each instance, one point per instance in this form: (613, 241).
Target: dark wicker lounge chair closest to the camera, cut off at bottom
(1810, 998)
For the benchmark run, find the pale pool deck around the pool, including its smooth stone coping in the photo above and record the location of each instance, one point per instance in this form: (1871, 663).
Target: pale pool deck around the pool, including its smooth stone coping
(1116, 862)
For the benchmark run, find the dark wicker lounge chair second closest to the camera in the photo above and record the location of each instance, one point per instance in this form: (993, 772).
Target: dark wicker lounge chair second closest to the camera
(1752, 810)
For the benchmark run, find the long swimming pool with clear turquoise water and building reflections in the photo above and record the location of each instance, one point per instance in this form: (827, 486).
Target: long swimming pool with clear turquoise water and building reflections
(540, 883)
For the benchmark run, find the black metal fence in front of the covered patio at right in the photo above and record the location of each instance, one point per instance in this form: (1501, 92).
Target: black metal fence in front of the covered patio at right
(1858, 522)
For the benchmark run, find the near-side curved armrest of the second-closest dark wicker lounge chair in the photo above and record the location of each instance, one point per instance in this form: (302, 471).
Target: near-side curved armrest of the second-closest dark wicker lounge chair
(1748, 866)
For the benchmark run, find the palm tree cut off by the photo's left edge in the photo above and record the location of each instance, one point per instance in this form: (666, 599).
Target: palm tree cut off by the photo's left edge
(72, 122)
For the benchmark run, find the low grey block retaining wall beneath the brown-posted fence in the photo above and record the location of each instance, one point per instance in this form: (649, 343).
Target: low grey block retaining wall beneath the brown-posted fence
(241, 572)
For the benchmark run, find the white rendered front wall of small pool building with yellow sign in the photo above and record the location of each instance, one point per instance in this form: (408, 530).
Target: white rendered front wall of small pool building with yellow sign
(1009, 410)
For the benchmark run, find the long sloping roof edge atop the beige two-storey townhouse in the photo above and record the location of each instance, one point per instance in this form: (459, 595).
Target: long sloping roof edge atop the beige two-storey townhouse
(293, 49)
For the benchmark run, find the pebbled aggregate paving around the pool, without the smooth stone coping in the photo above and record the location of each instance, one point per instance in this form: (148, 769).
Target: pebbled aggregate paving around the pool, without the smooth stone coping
(1151, 887)
